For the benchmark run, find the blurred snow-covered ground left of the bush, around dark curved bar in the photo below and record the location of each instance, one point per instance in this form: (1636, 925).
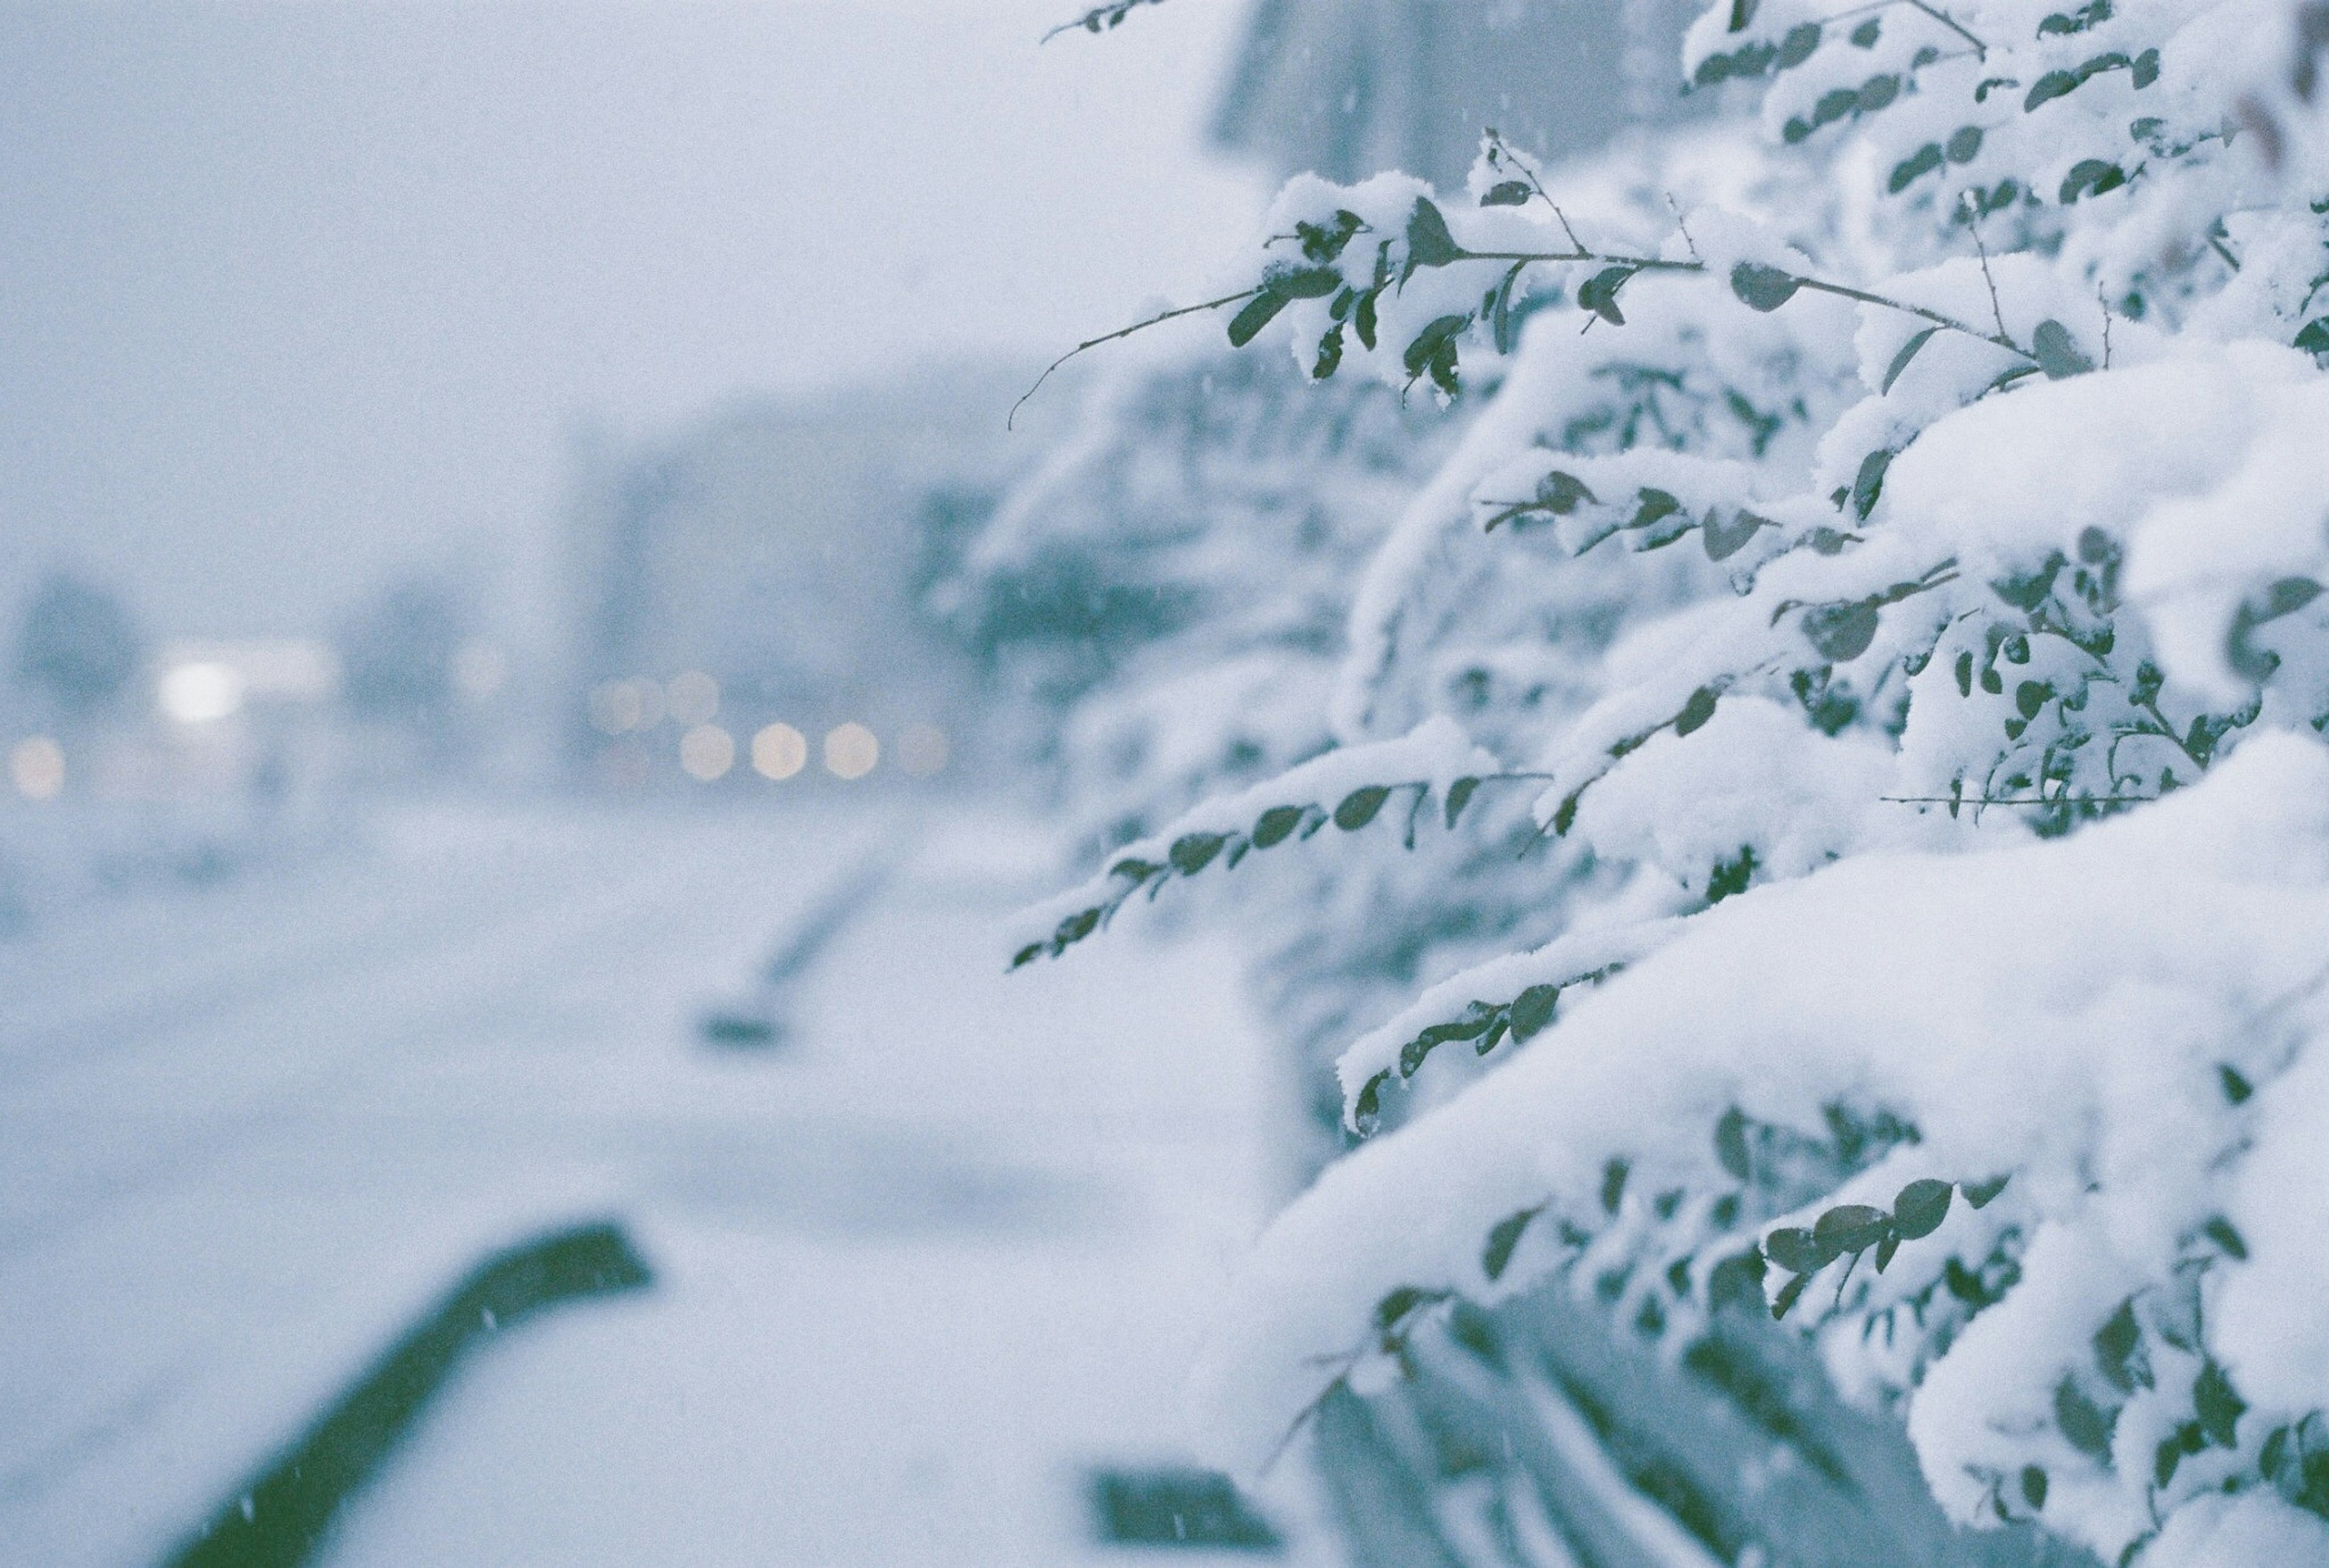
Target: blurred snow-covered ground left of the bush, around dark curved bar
(916, 1271)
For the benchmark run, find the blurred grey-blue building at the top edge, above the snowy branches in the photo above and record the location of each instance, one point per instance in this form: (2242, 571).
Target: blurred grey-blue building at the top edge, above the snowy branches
(1357, 87)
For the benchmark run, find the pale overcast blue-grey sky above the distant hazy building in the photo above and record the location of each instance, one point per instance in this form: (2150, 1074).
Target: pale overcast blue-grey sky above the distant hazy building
(299, 295)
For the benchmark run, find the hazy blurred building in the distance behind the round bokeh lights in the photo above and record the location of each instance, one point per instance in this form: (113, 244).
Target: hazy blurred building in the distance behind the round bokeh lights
(749, 598)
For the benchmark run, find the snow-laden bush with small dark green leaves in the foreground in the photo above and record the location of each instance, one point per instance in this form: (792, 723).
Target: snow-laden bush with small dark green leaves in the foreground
(1904, 614)
